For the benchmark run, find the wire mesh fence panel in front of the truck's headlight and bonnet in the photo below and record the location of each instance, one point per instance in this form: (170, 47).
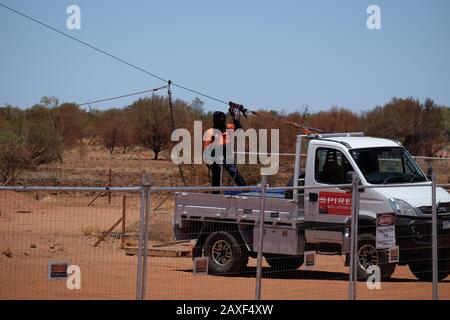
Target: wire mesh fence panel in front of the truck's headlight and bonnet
(412, 235)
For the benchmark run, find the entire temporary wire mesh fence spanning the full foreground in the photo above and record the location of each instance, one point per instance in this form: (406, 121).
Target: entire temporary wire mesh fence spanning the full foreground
(265, 242)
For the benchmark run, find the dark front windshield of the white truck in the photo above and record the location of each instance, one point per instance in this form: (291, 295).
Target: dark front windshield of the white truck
(387, 165)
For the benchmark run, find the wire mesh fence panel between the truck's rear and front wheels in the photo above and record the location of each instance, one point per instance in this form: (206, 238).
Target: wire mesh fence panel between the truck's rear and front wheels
(293, 270)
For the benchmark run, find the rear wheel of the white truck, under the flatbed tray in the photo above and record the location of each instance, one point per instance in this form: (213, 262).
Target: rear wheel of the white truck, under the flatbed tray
(225, 254)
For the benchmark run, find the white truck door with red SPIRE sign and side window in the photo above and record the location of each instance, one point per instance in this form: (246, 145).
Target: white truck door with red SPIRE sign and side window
(327, 210)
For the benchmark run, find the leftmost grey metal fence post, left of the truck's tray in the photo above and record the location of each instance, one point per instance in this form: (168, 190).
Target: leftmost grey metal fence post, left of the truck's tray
(142, 233)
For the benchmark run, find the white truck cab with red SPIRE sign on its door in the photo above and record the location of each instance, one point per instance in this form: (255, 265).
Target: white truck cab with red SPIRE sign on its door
(379, 164)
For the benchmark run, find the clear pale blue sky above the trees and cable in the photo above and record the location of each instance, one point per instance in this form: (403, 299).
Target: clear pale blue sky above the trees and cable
(264, 54)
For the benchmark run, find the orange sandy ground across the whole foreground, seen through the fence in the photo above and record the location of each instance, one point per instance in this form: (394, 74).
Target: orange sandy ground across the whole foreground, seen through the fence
(62, 227)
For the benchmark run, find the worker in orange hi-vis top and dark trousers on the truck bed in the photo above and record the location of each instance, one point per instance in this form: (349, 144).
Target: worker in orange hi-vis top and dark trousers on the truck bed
(219, 123)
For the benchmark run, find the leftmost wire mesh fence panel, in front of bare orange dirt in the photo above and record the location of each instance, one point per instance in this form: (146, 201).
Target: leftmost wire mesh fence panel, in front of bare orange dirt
(39, 227)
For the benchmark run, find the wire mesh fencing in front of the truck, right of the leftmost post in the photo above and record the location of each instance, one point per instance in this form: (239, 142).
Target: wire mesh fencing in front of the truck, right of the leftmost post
(307, 243)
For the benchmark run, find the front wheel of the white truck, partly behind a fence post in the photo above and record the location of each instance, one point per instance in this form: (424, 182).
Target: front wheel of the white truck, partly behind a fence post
(368, 256)
